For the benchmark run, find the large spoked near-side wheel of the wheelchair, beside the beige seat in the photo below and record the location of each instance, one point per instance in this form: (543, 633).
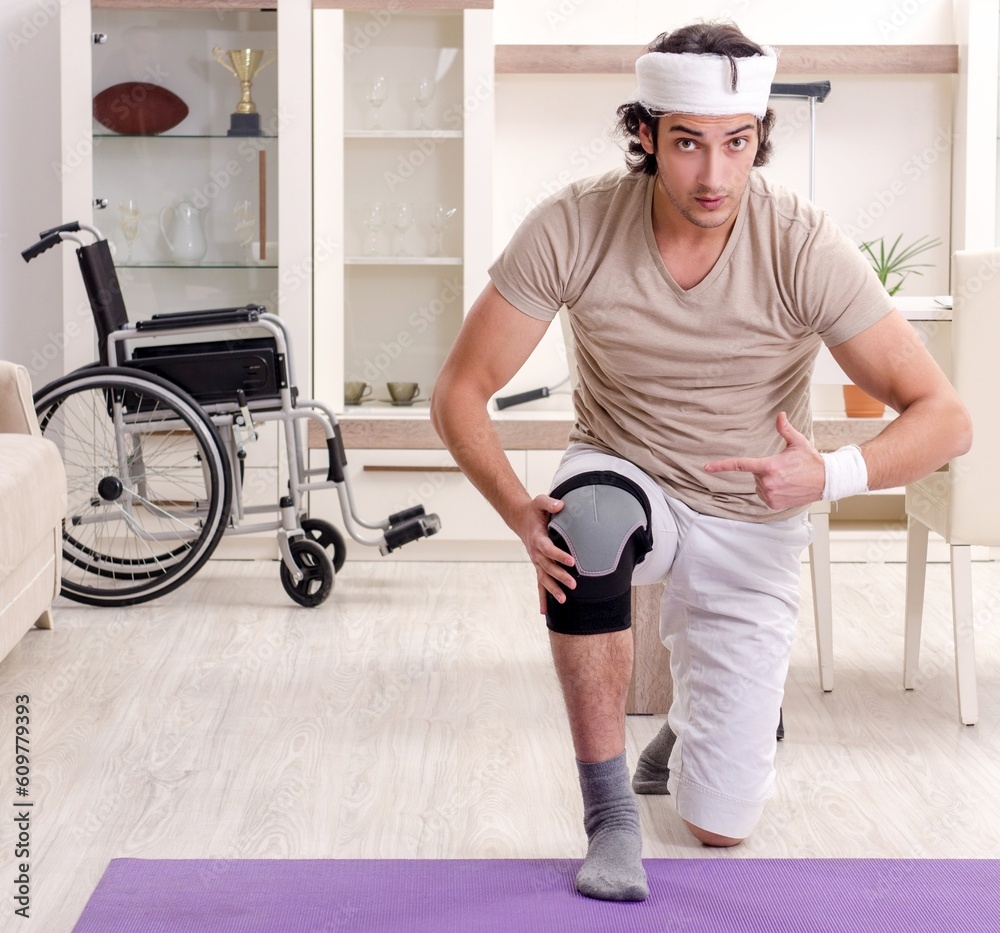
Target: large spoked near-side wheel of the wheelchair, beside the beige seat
(148, 483)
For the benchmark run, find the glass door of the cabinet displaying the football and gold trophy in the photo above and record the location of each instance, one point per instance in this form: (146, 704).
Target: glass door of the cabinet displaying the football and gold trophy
(185, 205)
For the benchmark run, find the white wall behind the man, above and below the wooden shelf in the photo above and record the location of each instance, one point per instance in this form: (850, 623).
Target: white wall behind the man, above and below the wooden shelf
(883, 144)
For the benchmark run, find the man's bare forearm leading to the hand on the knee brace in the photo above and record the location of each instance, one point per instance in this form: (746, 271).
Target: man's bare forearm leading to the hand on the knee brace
(465, 427)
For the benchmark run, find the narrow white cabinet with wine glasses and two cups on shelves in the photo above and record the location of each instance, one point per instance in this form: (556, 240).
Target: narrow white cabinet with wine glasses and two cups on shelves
(403, 124)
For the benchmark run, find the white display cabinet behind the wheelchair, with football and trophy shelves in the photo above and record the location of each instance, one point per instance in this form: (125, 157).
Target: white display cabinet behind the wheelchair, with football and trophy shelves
(248, 199)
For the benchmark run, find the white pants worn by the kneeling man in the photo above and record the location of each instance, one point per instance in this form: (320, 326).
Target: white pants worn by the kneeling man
(728, 617)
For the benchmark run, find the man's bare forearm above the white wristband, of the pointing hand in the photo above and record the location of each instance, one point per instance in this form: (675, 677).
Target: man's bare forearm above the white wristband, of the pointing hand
(928, 434)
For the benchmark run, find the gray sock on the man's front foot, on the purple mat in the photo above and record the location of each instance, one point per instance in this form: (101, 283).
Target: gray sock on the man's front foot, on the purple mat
(613, 869)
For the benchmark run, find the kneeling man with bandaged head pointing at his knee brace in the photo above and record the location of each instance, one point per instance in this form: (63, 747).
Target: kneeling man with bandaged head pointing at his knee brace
(699, 295)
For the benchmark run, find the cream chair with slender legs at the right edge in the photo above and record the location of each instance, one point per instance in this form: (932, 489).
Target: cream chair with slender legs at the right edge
(961, 503)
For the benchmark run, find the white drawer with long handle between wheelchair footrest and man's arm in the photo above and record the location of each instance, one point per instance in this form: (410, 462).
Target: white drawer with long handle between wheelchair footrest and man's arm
(387, 481)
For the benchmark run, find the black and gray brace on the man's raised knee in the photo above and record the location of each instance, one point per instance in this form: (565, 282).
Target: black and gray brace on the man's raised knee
(605, 523)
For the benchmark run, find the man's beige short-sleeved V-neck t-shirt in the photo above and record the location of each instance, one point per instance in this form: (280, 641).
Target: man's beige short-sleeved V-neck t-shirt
(672, 379)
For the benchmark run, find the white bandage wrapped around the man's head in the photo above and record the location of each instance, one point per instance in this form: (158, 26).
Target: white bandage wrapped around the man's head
(689, 82)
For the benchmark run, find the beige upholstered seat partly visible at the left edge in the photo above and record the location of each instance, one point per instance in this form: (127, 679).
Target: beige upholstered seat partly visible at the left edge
(32, 507)
